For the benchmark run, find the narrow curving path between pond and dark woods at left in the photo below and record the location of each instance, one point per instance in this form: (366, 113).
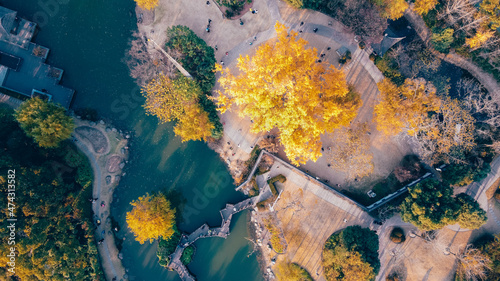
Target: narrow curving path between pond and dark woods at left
(103, 187)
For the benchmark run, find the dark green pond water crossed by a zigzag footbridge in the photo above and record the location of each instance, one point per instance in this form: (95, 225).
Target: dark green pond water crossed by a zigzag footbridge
(88, 39)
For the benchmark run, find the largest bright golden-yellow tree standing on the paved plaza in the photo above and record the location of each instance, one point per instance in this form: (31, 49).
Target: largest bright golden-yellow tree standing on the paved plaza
(283, 86)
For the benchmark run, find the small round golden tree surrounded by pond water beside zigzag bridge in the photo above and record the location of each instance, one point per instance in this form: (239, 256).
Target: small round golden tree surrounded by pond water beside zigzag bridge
(151, 218)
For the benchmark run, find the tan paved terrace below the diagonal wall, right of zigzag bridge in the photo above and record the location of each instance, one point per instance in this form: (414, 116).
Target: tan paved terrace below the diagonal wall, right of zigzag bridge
(309, 212)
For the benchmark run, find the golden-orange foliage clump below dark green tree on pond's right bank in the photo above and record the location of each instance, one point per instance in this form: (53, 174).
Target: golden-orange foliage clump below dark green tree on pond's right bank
(178, 100)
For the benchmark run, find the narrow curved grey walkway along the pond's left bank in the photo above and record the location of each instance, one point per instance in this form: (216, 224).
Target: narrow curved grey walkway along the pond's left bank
(111, 264)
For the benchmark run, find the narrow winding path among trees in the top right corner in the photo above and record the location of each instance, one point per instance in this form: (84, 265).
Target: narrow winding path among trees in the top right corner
(486, 79)
